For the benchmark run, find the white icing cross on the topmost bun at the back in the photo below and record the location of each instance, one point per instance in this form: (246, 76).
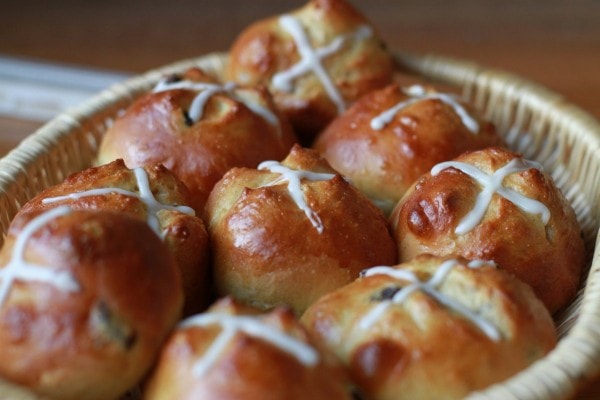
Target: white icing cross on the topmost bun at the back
(310, 59)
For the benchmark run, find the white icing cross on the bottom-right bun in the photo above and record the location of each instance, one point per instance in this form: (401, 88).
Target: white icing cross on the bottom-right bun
(430, 288)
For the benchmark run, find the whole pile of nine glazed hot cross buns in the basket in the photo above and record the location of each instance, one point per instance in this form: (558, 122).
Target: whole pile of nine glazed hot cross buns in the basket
(307, 224)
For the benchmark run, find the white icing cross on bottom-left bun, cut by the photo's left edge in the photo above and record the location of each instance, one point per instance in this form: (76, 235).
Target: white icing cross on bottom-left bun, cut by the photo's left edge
(19, 269)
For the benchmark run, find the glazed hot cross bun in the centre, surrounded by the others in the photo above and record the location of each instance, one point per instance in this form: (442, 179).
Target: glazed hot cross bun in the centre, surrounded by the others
(290, 231)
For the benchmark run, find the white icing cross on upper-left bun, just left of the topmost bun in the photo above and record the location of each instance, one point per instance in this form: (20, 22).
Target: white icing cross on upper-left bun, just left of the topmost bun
(207, 90)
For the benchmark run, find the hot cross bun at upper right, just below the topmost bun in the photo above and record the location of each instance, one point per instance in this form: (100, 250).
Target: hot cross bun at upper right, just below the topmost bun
(391, 136)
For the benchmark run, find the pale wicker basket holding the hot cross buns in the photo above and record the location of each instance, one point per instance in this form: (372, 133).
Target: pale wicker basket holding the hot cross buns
(533, 120)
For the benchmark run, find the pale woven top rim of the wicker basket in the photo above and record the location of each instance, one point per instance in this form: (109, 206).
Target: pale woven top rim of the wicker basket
(560, 378)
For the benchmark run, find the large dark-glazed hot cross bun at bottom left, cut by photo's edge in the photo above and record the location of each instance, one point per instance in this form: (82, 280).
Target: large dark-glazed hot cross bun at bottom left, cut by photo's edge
(87, 299)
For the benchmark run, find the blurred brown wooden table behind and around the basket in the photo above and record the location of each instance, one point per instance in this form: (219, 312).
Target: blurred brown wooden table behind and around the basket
(555, 42)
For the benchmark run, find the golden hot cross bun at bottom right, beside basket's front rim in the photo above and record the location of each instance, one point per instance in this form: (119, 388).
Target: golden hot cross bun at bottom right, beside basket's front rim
(432, 328)
